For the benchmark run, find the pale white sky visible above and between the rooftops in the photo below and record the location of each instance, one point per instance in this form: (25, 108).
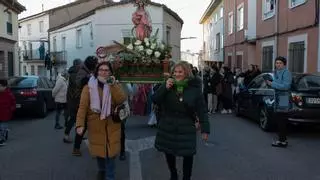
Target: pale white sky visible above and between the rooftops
(189, 10)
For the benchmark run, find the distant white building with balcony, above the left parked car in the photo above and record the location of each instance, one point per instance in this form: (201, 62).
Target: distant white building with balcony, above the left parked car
(33, 44)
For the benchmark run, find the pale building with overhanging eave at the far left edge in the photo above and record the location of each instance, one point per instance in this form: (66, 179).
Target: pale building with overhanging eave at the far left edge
(9, 57)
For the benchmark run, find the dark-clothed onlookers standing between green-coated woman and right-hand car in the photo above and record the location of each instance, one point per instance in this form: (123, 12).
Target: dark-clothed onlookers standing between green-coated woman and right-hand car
(221, 85)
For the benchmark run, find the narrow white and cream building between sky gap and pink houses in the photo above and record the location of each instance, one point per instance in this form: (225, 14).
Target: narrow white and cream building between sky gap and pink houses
(213, 32)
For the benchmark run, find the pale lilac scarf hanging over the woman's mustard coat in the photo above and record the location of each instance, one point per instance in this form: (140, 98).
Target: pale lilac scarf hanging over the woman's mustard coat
(95, 102)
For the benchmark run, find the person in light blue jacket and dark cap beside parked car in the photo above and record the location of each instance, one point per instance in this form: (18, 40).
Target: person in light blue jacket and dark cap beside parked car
(281, 84)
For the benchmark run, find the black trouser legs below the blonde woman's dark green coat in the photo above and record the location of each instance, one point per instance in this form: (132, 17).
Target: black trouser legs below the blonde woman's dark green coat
(187, 166)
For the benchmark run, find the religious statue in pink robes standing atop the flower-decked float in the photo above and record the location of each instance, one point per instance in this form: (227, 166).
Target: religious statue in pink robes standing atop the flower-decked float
(141, 20)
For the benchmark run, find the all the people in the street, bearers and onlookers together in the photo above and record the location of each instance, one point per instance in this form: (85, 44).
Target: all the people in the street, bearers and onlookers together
(90, 96)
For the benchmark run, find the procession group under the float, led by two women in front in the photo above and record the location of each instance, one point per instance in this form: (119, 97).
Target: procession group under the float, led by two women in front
(89, 101)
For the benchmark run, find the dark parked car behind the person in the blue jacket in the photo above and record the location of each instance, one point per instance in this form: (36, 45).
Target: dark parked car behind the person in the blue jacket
(257, 100)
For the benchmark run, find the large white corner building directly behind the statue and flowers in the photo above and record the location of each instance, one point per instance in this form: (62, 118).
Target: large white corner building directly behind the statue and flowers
(100, 27)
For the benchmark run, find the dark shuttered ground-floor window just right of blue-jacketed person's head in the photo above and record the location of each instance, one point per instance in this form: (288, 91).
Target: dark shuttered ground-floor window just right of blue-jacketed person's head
(296, 57)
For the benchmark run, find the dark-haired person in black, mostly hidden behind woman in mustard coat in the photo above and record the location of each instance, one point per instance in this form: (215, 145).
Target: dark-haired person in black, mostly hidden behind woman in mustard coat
(85, 72)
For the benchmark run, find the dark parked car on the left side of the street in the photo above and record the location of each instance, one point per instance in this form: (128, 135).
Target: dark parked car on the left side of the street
(33, 94)
